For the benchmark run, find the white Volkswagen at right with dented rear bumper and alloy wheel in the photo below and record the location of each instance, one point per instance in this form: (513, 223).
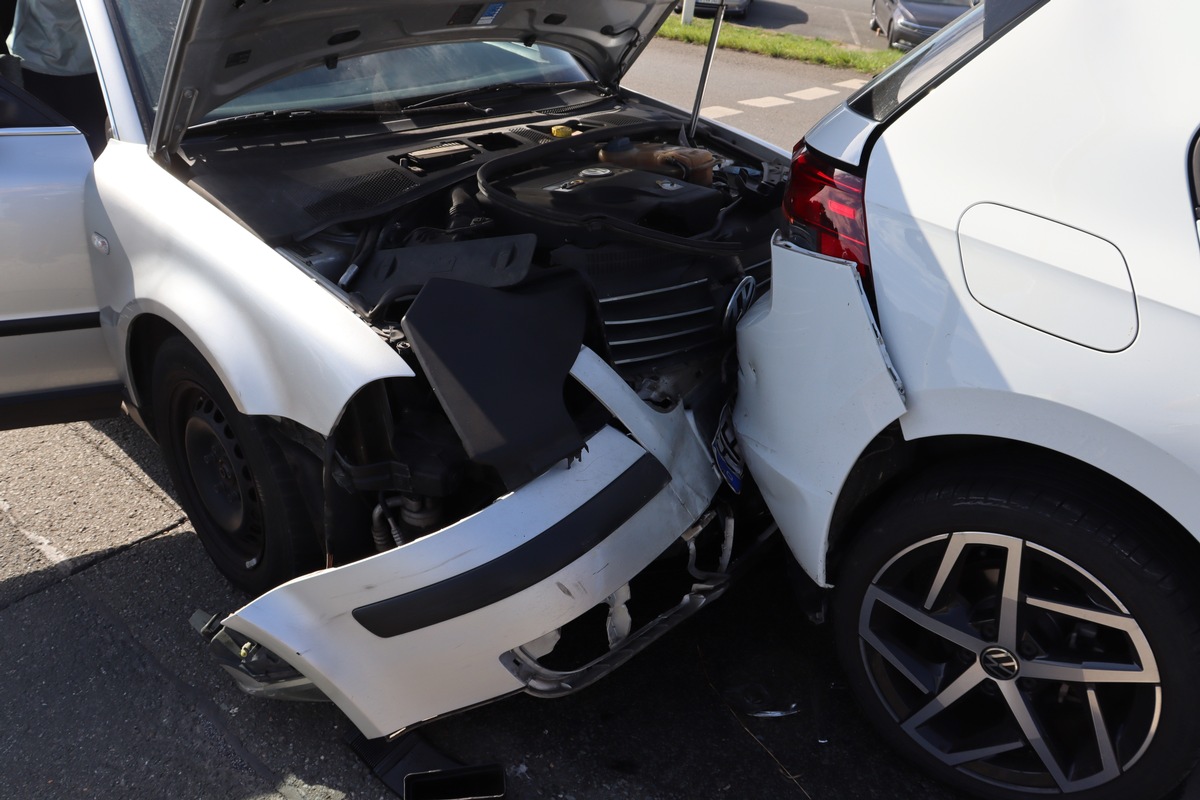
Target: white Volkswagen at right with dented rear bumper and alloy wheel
(969, 404)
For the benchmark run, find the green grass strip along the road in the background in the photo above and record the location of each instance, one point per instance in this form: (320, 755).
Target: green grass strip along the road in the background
(781, 46)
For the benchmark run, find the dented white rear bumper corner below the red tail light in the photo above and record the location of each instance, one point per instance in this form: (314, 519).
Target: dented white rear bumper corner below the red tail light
(815, 386)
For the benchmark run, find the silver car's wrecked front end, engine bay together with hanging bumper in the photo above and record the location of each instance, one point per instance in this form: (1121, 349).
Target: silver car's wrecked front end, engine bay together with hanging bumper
(542, 498)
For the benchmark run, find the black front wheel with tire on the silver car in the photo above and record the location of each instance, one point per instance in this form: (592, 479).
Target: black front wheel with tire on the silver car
(233, 482)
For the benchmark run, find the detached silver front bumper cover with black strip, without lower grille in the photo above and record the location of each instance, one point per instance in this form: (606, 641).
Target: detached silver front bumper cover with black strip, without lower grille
(423, 630)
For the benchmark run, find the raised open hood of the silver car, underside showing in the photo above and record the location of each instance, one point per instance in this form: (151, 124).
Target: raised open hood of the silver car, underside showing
(224, 49)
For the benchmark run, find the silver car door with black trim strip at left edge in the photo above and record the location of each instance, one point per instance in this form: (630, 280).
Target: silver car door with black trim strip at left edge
(55, 365)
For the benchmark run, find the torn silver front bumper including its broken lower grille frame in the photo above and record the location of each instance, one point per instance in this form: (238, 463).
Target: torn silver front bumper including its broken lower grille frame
(544, 590)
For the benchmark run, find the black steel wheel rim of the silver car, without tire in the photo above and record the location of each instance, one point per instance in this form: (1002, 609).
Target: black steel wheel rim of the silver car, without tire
(220, 478)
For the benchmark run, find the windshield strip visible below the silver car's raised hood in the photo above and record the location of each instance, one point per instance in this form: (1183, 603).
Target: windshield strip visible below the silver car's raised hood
(386, 82)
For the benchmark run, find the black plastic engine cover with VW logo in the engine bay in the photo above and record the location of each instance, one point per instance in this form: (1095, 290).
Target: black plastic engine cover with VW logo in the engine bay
(647, 200)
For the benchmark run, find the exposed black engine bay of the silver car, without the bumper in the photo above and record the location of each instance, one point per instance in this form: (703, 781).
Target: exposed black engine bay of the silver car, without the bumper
(488, 257)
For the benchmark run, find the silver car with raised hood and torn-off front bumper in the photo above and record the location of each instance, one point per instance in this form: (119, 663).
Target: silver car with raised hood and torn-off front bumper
(433, 321)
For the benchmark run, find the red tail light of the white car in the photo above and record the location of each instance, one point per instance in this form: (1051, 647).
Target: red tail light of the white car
(825, 209)
